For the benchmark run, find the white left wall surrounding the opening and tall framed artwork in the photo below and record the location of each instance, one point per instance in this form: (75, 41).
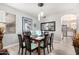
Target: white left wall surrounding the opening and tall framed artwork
(9, 39)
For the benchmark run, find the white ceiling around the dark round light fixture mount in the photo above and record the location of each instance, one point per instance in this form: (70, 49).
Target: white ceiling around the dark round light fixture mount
(48, 8)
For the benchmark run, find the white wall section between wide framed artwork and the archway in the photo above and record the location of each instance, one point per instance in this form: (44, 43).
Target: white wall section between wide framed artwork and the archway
(57, 19)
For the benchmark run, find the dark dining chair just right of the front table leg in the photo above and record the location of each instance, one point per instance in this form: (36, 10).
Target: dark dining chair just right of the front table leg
(44, 43)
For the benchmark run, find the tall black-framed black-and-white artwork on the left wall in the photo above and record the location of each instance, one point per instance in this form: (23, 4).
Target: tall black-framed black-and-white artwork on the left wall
(26, 24)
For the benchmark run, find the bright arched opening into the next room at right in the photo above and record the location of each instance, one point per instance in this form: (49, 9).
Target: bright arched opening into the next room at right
(69, 25)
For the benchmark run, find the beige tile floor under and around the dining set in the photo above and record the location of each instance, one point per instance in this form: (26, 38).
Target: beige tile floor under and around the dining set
(63, 47)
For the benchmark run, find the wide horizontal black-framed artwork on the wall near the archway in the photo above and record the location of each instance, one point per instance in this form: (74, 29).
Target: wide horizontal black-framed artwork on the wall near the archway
(48, 26)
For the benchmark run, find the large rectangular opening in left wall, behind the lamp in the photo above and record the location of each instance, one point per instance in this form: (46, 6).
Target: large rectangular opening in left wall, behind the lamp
(7, 22)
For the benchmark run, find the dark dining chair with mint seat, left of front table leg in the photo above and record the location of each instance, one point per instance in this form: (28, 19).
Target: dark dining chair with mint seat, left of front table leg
(30, 45)
